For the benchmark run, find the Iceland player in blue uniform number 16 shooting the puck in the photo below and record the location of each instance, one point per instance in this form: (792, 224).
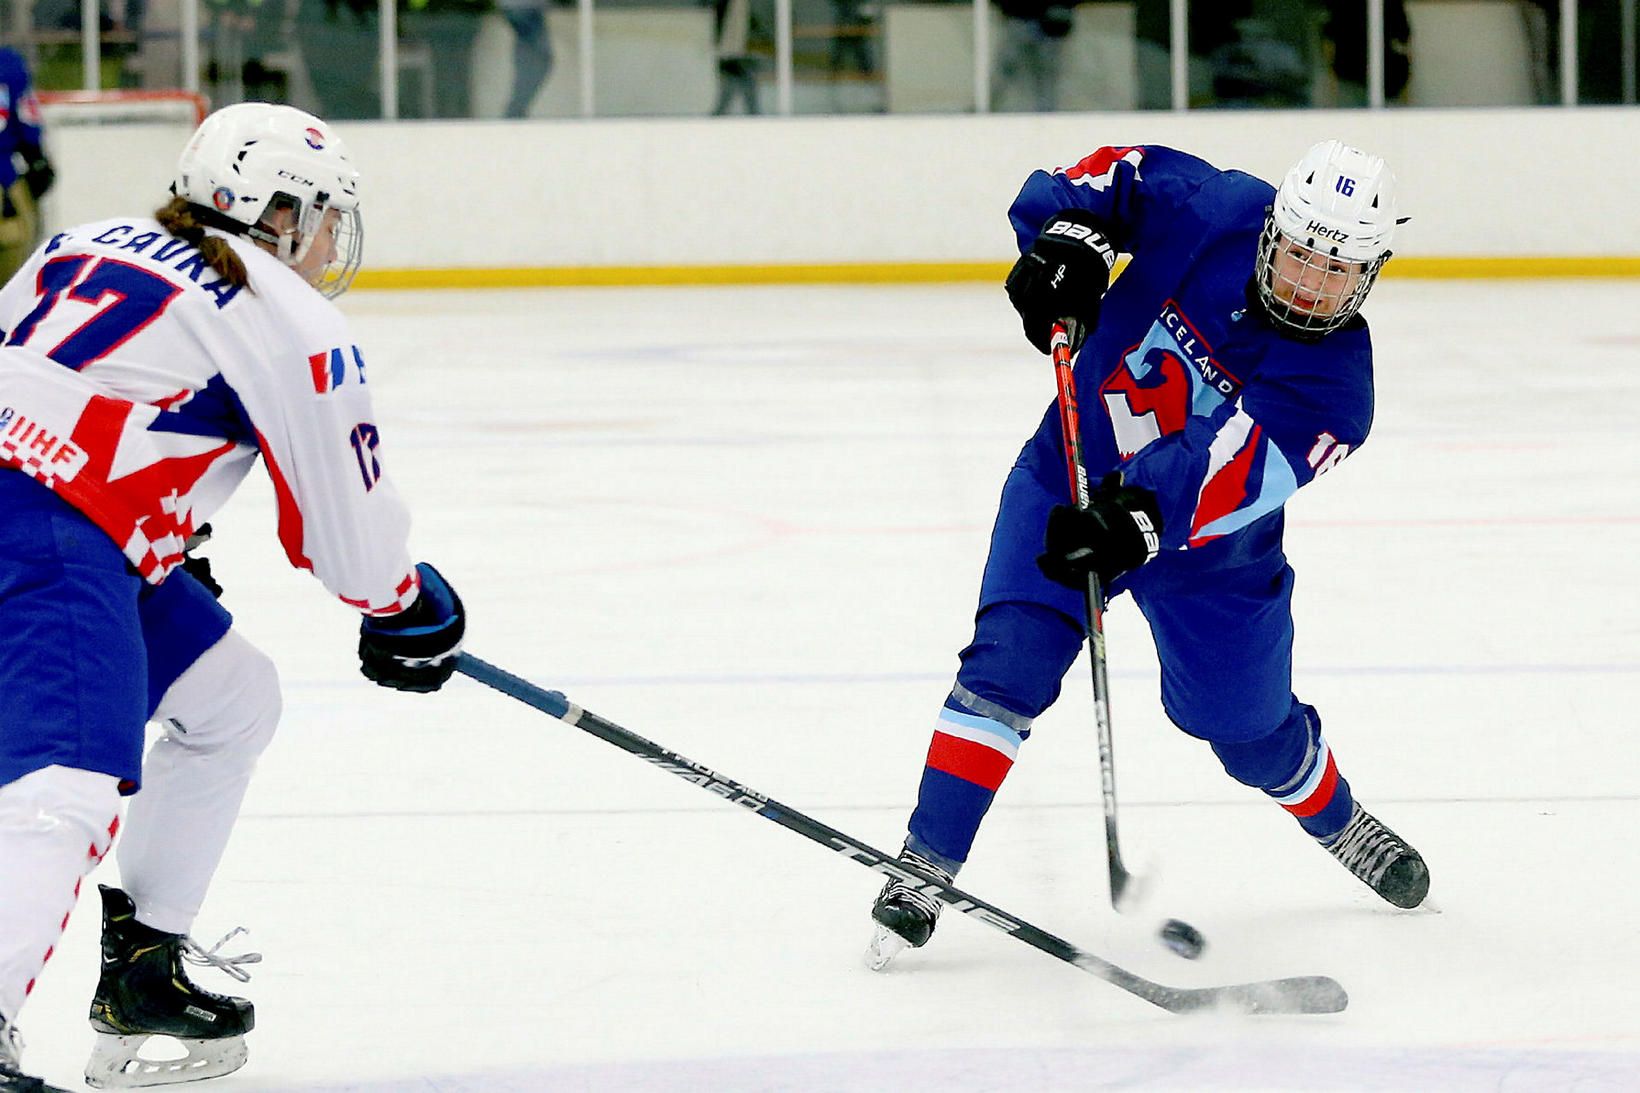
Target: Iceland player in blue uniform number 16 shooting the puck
(1226, 368)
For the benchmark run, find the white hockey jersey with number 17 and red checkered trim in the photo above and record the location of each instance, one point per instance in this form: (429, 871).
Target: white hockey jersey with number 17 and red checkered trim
(142, 388)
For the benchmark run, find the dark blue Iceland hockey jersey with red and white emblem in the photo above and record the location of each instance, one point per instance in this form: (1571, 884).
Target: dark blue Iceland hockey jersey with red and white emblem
(1185, 385)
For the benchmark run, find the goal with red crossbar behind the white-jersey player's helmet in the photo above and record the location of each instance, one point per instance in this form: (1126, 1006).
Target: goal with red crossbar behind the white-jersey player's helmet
(114, 150)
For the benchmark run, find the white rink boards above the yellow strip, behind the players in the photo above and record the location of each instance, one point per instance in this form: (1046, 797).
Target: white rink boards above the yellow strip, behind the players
(886, 190)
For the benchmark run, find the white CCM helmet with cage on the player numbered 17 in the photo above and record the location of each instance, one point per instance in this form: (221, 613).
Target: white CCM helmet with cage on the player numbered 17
(255, 160)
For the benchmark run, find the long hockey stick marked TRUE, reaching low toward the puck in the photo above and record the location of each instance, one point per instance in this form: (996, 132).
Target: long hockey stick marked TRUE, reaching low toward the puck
(1314, 994)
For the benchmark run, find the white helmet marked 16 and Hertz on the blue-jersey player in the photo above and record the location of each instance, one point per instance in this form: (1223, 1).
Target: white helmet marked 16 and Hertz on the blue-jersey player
(1326, 239)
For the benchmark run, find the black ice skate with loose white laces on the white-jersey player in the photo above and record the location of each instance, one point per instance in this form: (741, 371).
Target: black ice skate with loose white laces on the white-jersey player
(145, 992)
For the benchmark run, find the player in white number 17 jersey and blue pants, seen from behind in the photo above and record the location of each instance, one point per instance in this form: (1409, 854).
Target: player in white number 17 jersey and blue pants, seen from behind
(145, 365)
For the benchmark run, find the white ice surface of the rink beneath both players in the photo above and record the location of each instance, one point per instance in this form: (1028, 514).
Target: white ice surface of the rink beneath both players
(749, 524)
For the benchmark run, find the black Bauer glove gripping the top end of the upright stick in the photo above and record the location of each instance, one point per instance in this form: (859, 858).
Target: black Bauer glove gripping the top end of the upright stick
(1064, 275)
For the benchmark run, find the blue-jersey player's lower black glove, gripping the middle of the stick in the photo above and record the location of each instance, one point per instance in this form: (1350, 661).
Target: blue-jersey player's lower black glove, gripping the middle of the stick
(1118, 533)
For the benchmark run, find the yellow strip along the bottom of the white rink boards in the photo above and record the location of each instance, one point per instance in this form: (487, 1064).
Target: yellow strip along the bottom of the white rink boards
(927, 273)
